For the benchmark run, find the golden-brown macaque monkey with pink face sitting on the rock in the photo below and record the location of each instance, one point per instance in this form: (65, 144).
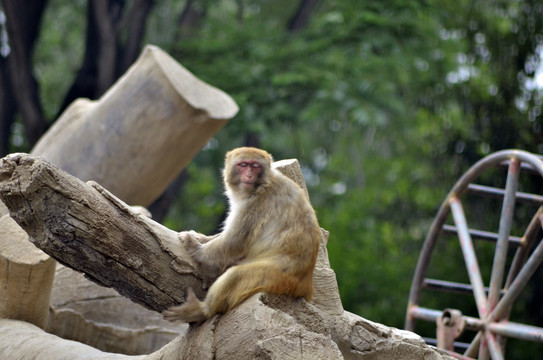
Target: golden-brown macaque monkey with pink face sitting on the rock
(269, 243)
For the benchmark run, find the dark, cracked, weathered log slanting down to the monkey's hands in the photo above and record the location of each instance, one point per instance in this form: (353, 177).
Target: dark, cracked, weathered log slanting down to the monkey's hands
(87, 228)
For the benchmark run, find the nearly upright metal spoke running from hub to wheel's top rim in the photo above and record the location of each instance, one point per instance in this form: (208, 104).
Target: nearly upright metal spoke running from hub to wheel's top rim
(498, 267)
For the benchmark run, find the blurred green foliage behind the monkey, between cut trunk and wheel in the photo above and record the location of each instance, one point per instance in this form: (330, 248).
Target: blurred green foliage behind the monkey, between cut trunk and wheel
(375, 100)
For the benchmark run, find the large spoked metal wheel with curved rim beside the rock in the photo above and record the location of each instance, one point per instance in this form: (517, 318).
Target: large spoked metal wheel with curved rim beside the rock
(509, 274)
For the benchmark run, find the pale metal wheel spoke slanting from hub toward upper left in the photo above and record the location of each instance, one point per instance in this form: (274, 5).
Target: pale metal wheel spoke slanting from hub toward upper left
(469, 256)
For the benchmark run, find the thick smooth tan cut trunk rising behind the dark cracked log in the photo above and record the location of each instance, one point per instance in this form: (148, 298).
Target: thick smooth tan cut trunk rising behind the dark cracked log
(141, 133)
